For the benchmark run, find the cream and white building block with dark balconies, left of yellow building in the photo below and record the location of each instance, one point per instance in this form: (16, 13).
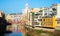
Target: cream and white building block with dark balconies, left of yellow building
(35, 16)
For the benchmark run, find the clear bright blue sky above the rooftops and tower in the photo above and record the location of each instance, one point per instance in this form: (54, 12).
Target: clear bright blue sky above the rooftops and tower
(16, 6)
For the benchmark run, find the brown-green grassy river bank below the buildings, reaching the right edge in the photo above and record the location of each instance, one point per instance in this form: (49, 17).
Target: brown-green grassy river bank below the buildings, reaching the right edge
(35, 32)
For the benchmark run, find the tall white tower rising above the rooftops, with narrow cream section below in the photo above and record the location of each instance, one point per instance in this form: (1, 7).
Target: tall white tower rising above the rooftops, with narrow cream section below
(26, 12)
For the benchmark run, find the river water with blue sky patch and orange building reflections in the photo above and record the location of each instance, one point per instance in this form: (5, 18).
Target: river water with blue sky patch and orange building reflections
(17, 31)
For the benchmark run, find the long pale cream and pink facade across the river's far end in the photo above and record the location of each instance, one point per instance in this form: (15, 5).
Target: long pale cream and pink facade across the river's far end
(14, 18)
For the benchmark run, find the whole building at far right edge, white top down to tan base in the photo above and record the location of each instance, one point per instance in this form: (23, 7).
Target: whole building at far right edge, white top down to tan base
(56, 12)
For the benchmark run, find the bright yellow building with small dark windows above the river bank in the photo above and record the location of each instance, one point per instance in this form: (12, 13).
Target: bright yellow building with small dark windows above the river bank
(49, 22)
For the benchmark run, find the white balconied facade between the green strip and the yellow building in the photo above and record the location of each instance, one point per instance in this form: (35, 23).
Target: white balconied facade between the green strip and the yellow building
(38, 16)
